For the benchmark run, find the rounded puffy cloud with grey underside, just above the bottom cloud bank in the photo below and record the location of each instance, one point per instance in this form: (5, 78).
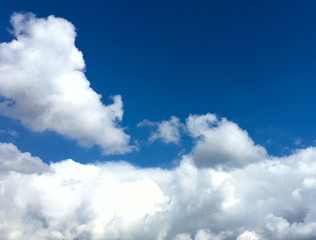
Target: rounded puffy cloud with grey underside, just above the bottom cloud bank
(221, 142)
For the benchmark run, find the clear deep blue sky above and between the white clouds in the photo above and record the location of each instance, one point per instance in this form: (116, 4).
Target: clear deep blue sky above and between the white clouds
(250, 61)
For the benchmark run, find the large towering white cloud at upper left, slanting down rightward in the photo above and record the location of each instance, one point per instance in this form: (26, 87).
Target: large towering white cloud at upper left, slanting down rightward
(42, 84)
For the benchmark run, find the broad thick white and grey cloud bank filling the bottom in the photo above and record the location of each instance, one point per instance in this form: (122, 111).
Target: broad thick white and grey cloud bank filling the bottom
(268, 199)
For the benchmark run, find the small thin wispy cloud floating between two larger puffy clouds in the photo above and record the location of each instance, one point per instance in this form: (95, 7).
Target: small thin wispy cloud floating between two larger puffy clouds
(167, 131)
